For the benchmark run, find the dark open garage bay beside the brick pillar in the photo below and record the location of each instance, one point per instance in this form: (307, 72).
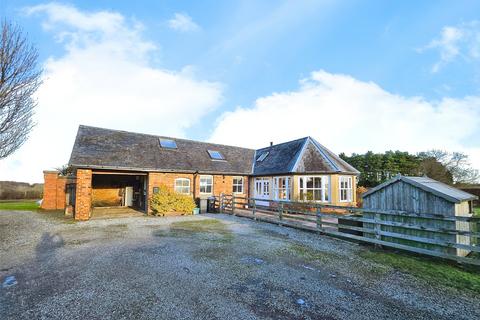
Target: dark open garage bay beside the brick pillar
(119, 192)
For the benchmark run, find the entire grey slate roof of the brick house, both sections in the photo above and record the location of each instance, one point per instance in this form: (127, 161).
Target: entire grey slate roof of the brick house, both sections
(99, 148)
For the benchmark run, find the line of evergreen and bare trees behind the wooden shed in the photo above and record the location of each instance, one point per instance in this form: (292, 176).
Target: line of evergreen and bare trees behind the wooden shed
(452, 168)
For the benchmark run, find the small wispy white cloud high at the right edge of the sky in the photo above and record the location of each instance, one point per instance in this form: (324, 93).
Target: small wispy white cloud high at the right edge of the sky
(461, 41)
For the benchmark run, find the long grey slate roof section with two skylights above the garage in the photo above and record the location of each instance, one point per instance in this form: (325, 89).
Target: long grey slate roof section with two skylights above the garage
(99, 148)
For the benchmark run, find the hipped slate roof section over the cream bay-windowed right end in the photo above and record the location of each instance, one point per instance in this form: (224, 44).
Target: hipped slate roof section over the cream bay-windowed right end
(304, 155)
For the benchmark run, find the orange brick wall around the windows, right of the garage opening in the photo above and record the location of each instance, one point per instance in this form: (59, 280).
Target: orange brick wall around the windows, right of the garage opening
(221, 183)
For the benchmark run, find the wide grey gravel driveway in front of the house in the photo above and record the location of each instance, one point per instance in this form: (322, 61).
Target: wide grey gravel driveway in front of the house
(201, 267)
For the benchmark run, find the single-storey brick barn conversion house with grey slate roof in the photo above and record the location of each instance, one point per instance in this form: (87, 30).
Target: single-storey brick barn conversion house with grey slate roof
(119, 168)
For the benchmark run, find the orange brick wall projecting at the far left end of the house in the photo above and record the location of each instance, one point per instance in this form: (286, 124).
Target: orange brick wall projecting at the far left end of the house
(53, 191)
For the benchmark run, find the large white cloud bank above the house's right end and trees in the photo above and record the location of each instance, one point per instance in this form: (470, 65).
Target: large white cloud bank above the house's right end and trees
(349, 115)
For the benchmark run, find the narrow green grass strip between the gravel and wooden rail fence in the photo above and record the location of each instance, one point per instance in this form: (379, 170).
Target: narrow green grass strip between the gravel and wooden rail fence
(433, 271)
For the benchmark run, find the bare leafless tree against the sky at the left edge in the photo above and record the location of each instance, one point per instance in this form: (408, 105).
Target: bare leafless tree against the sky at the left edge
(19, 79)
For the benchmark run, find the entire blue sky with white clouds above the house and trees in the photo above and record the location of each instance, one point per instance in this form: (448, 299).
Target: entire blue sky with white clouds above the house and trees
(355, 75)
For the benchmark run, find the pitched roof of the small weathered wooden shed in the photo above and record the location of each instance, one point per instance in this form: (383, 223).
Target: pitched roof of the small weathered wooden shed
(438, 188)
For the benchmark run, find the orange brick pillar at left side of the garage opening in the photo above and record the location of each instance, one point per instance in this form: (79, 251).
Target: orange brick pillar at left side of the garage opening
(83, 198)
